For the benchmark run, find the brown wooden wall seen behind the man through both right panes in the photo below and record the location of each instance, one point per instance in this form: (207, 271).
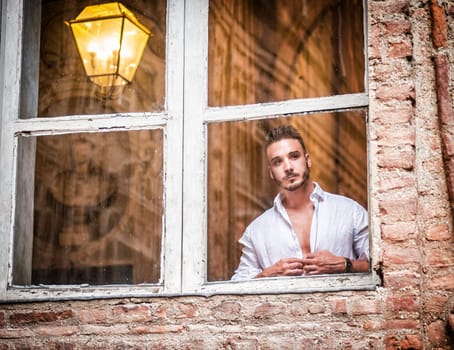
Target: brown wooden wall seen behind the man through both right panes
(263, 51)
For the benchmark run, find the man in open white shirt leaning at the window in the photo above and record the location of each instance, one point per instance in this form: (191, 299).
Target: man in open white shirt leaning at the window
(308, 231)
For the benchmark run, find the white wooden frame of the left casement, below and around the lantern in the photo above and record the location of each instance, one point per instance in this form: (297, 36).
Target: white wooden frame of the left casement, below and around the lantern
(11, 127)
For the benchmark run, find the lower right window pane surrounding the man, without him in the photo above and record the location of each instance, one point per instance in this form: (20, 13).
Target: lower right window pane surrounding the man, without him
(239, 186)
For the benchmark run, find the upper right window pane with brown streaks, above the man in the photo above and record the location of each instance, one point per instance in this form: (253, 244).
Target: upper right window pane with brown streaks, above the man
(271, 50)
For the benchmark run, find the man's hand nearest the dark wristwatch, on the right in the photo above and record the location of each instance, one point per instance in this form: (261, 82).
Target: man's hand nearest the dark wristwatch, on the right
(323, 262)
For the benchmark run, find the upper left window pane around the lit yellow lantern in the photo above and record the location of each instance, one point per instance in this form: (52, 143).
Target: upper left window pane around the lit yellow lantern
(57, 84)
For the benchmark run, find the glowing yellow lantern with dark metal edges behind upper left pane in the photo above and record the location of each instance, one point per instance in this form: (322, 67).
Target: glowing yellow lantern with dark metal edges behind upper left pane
(110, 41)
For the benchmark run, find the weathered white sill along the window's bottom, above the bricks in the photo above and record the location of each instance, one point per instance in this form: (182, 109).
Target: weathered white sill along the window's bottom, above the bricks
(277, 285)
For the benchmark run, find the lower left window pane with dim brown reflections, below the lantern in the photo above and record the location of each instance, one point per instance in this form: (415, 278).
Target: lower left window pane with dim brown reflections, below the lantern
(98, 207)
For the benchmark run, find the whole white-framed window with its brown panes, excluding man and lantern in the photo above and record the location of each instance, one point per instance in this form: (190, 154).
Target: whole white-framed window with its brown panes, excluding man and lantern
(145, 188)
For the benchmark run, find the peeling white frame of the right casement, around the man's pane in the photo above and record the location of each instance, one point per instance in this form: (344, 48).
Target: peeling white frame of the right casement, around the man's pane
(197, 115)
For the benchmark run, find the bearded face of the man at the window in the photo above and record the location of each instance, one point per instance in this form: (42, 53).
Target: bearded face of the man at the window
(288, 163)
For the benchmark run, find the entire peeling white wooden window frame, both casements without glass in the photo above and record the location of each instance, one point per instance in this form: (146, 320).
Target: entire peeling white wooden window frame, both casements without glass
(184, 262)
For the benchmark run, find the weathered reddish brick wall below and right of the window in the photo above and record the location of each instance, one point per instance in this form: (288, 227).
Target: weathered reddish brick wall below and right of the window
(411, 223)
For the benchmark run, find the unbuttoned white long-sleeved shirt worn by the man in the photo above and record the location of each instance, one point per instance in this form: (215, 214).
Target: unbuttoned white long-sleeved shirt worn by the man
(339, 225)
